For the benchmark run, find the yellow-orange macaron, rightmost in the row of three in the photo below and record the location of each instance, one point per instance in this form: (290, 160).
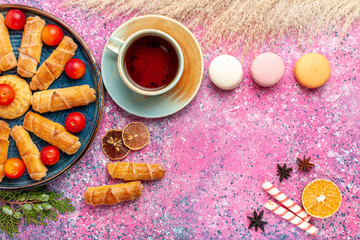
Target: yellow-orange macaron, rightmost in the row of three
(312, 70)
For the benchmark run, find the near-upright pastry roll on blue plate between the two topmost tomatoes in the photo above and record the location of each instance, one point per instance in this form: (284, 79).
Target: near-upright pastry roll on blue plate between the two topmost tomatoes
(31, 47)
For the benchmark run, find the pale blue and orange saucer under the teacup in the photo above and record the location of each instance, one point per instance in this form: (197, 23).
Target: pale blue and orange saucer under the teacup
(175, 99)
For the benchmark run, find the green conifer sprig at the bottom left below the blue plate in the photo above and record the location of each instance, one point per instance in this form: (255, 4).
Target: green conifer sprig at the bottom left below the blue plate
(34, 212)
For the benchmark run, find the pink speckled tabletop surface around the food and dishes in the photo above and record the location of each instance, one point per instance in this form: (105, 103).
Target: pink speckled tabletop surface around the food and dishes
(220, 148)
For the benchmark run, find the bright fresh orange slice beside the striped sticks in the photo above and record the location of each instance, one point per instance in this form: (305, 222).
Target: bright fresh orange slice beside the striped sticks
(321, 198)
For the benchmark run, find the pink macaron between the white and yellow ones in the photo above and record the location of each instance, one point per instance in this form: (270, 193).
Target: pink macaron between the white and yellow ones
(267, 69)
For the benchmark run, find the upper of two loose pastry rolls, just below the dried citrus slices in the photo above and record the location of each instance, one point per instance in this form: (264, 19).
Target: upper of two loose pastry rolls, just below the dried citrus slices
(135, 171)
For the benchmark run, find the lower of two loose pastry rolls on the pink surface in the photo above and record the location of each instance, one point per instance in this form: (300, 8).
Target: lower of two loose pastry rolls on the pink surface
(112, 194)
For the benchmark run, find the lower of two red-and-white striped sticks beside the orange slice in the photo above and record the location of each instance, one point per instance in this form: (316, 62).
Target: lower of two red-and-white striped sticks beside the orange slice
(301, 223)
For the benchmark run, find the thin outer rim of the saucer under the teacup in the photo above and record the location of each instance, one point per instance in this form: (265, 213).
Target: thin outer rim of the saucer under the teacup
(197, 45)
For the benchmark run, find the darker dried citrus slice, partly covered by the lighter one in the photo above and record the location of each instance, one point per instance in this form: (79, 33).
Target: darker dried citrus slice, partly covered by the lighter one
(113, 145)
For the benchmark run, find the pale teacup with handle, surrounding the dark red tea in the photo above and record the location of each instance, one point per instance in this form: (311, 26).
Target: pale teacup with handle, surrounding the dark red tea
(121, 47)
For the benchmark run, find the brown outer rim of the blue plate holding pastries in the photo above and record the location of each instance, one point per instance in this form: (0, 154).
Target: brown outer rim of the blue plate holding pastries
(99, 83)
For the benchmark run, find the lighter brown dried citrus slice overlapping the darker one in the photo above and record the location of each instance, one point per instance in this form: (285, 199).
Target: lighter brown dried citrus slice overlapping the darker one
(135, 135)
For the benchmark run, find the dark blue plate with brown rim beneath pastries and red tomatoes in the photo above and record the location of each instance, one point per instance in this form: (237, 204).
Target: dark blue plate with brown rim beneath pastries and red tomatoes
(91, 112)
